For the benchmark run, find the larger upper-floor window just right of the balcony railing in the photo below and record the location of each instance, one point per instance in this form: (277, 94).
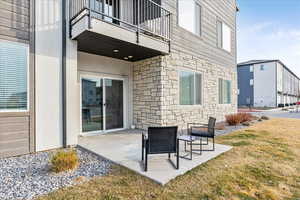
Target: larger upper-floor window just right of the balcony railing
(189, 16)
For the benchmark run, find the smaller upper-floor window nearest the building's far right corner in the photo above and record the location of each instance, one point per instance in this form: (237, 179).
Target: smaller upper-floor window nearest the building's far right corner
(223, 36)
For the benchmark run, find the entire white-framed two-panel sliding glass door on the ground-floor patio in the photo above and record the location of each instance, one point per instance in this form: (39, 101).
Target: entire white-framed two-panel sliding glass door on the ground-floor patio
(102, 104)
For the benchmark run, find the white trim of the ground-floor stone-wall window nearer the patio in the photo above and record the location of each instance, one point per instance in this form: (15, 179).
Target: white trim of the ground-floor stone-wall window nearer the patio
(202, 88)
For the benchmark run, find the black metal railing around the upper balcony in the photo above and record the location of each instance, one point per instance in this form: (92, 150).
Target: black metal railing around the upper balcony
(143, 16)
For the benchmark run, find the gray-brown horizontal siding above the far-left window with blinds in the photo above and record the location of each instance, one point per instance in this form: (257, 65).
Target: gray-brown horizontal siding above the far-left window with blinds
(14, 20)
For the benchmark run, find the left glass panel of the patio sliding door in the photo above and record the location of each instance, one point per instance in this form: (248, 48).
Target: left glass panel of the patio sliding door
(92, 104)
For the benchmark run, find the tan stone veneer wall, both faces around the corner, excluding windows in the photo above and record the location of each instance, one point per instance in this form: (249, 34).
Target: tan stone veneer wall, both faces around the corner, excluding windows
(156, 91)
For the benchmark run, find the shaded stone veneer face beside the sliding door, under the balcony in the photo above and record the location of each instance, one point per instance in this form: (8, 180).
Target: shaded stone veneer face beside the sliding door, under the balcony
(147, 93)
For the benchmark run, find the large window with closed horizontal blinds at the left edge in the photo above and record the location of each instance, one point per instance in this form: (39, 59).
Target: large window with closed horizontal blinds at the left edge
(13, 76)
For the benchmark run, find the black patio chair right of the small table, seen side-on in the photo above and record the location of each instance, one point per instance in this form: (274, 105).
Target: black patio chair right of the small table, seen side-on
(196, 129)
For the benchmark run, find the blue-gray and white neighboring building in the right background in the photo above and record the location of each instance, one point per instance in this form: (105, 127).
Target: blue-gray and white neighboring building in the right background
(267, 83)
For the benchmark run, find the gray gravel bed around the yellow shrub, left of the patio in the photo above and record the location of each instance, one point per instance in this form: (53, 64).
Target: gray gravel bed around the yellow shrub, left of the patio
(28, 176)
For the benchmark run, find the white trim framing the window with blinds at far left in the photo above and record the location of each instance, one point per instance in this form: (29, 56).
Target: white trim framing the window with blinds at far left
(28, 81)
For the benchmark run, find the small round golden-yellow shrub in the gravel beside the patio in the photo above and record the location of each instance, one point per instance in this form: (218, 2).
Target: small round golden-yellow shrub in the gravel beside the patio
(64, 160)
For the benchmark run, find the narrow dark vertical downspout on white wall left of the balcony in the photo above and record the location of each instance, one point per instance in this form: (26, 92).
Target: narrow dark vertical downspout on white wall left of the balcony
(64, 74)
